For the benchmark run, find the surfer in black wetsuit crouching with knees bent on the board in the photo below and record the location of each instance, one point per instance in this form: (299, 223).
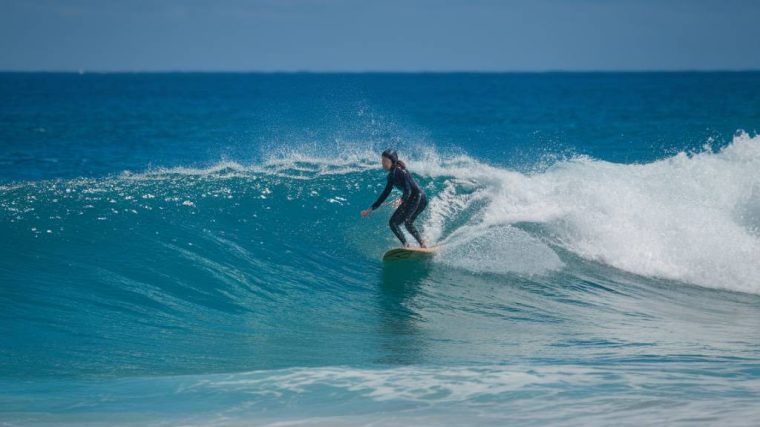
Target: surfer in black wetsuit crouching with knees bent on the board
(412, 201)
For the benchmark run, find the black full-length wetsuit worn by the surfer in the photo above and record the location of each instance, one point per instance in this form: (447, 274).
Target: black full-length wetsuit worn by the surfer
(413, 202)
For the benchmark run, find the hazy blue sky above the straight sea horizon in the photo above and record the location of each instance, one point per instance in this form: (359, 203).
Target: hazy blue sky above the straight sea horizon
(382, 35)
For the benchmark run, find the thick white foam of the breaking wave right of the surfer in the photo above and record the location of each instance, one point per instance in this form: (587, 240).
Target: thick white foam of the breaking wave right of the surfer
(690, 217)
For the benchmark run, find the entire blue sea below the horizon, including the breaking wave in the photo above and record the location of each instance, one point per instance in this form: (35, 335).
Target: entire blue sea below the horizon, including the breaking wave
(187, 249)
